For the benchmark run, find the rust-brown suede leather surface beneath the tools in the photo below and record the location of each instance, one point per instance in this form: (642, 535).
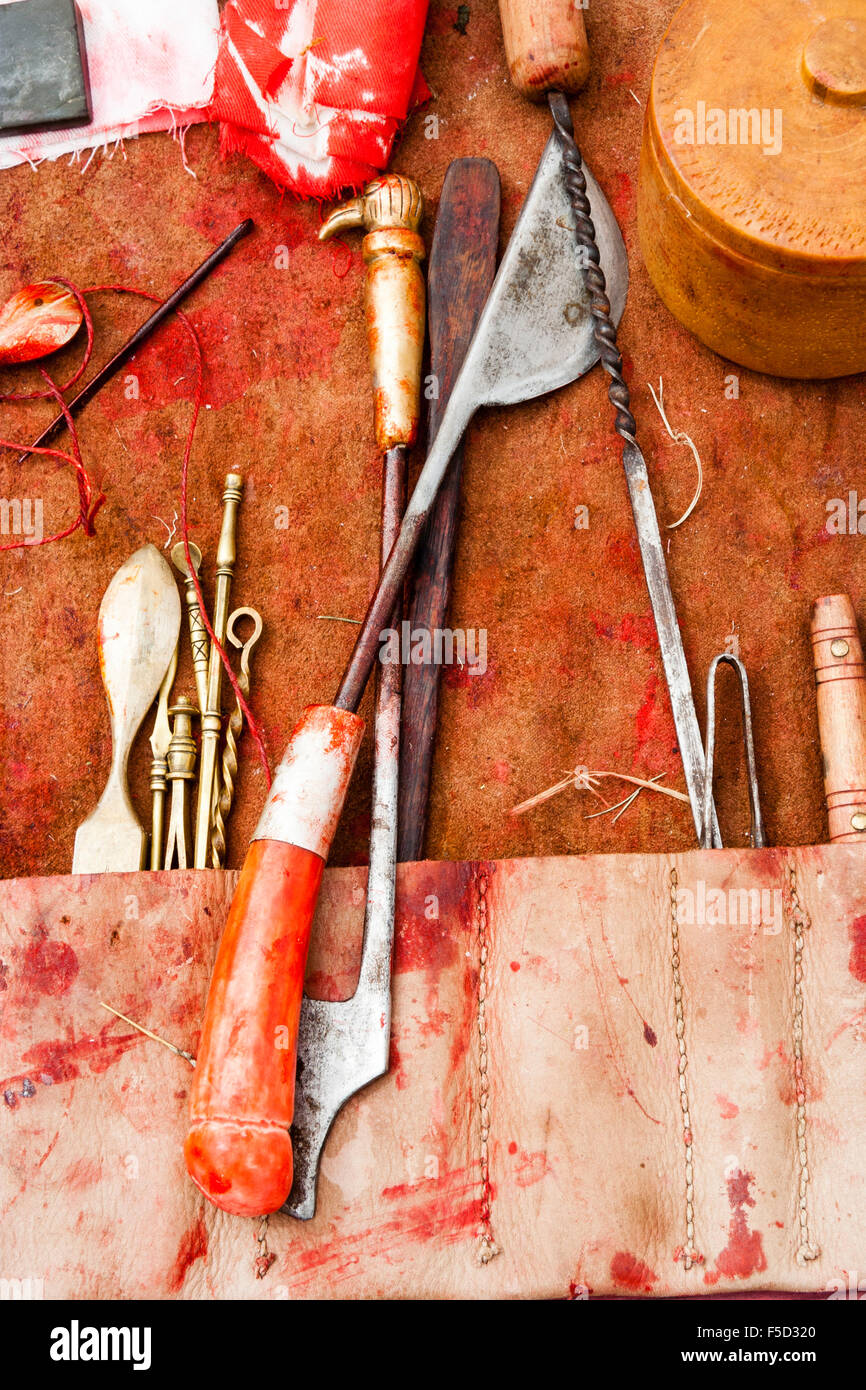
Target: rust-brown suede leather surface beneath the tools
(575, 673)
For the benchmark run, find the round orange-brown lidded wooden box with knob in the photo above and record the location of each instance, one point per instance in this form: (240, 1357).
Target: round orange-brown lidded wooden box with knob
(753, 187)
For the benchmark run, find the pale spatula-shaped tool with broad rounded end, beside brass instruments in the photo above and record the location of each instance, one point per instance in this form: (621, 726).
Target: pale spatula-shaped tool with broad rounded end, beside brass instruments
(140, 622)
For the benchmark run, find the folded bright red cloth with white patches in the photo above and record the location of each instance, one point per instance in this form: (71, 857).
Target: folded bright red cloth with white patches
(316, 91)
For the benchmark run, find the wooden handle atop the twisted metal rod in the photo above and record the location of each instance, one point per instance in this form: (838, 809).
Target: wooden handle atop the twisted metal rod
(546, 45)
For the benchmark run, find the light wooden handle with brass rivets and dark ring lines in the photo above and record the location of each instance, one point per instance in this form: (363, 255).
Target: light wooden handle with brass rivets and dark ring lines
(842, 715)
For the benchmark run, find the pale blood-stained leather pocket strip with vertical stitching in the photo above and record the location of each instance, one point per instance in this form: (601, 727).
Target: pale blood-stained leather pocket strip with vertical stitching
(605, 1079)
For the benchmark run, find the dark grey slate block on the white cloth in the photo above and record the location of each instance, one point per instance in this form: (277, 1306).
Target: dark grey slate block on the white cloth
(44, 69)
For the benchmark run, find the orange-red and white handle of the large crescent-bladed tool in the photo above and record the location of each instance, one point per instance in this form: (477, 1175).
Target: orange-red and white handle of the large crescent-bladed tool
(238, 1149)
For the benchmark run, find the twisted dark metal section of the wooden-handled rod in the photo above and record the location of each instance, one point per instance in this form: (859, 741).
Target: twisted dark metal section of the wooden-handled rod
(600, 305)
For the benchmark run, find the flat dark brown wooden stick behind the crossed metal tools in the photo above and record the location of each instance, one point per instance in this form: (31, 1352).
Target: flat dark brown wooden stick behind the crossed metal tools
(462, 270)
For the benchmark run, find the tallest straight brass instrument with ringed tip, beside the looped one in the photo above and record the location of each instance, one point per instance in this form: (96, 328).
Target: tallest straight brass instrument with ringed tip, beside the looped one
(212, 715)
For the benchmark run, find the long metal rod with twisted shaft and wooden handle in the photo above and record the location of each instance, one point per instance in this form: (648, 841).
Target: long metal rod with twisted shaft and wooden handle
(548, 58)
